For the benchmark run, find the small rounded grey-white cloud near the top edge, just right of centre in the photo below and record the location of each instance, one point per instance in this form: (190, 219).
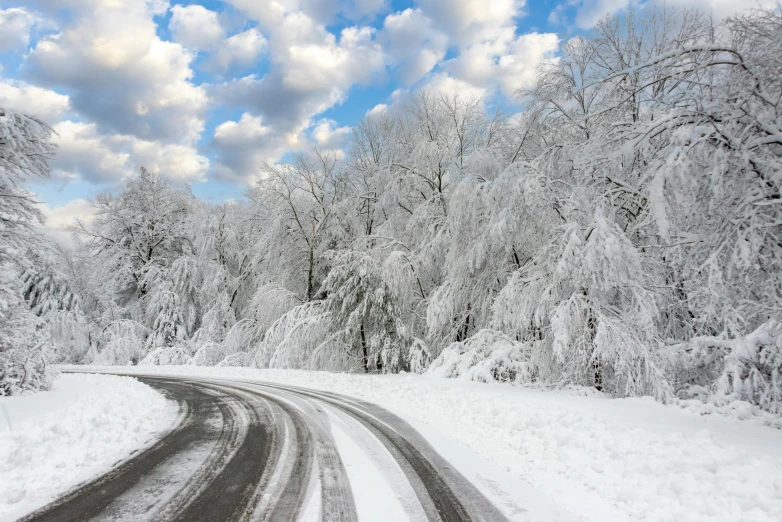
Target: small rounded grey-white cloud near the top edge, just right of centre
(412, 42)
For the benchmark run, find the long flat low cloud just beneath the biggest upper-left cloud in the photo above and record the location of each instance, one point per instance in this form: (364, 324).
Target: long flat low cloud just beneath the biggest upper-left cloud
(85, 153)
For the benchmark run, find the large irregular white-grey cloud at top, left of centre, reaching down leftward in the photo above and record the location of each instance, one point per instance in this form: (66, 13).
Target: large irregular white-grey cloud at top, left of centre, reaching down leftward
(311, 71)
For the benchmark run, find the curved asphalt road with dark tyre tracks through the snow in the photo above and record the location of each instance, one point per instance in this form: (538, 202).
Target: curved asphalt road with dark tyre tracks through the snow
(249, 451)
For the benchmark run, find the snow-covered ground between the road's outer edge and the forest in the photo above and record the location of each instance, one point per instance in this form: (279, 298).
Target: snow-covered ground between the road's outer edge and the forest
(598, 459)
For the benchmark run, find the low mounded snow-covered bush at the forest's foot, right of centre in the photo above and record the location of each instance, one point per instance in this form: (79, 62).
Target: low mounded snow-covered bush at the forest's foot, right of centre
(487, 356)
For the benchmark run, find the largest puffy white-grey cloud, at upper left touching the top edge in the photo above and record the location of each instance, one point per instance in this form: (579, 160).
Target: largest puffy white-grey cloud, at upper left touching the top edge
(121, 75)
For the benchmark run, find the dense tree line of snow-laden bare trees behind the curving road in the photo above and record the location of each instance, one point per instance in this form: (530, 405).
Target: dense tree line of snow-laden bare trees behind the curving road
(623, 231)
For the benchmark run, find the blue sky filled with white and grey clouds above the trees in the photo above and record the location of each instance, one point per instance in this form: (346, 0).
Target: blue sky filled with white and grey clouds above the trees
(207, 92)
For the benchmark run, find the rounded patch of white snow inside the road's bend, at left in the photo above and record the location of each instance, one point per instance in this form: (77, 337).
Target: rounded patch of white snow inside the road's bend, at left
(60, 438)
